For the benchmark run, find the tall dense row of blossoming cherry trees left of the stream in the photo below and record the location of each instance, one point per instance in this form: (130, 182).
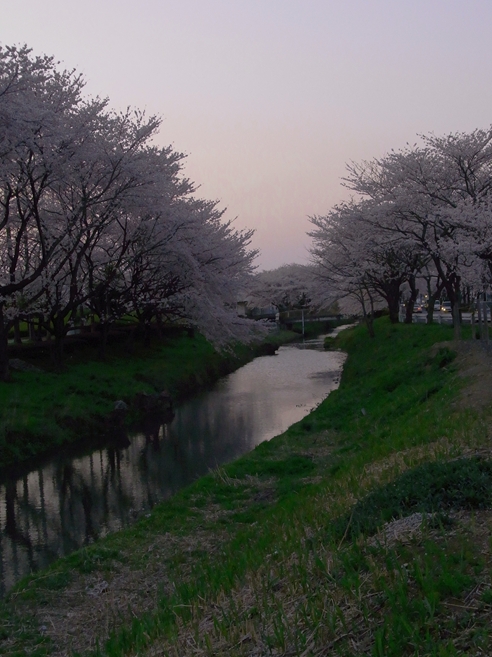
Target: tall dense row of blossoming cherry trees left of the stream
(94, 216)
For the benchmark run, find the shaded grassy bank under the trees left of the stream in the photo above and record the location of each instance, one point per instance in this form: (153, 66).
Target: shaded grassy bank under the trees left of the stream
(43, 410)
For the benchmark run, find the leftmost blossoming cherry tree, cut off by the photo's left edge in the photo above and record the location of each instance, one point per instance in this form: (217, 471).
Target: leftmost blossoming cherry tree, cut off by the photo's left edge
(36, 104)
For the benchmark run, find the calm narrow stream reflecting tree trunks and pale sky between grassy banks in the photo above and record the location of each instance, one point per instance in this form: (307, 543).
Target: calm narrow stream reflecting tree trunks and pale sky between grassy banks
(69, 502)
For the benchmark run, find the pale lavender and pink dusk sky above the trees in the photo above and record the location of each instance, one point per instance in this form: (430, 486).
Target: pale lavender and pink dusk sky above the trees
(270, 99)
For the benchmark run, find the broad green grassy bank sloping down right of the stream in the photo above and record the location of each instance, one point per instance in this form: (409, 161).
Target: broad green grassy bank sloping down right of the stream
(285, 551)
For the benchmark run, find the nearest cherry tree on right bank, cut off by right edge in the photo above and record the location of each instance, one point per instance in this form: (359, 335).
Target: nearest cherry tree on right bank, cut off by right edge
(425, 189)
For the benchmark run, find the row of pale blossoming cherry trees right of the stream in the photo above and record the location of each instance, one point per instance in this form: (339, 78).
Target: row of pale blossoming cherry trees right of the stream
(422, 213)
